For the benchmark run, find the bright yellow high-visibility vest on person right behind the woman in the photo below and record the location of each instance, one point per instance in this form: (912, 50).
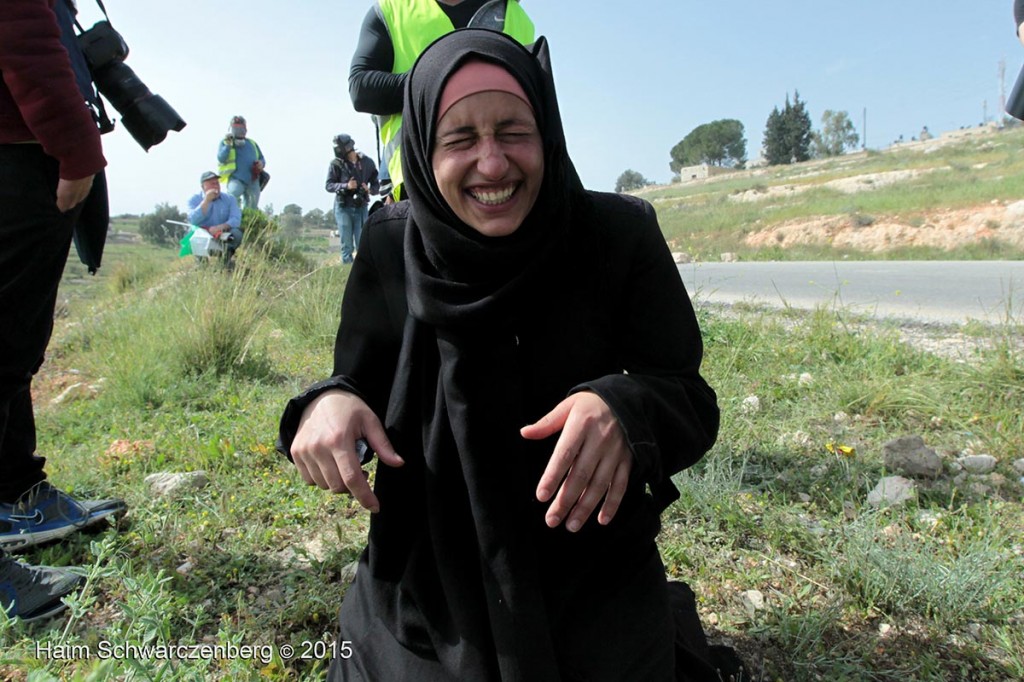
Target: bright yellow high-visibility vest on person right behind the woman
(413, 25)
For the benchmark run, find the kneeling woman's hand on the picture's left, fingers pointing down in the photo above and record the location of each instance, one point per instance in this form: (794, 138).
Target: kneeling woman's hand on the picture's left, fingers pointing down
(324, 449)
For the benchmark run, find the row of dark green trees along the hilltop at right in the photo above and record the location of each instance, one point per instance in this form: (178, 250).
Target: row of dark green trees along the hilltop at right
(788, 139)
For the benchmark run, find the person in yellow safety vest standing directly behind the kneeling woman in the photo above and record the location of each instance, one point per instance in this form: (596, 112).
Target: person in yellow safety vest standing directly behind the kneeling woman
(394, 35)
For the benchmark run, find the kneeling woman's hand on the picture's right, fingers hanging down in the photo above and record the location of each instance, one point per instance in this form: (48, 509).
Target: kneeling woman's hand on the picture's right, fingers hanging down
(591, 461)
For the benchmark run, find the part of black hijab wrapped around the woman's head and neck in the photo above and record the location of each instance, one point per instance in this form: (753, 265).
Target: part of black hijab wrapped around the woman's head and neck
(456, 274)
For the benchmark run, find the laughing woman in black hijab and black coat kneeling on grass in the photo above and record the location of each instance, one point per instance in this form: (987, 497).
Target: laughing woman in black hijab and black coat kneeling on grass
(529, 349)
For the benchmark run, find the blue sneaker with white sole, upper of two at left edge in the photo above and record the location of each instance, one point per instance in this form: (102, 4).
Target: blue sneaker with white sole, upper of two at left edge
(47, 514)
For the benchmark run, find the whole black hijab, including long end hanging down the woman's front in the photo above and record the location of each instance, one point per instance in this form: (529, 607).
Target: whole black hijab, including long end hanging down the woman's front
(459, 390)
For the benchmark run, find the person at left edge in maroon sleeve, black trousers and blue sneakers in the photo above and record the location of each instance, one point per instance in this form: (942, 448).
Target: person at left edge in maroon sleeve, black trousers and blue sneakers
(52, 165)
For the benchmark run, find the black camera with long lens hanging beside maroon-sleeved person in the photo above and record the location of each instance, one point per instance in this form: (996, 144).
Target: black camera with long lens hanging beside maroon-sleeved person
(148, 117)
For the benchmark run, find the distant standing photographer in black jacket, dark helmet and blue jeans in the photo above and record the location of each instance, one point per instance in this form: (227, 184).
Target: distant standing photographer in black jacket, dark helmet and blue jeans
(352, 178)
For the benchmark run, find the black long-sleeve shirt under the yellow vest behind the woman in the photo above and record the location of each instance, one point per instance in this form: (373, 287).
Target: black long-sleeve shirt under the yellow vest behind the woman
(372, 87)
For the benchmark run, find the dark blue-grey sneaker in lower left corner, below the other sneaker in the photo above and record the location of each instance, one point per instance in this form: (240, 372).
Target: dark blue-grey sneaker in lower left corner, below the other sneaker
(34, 593)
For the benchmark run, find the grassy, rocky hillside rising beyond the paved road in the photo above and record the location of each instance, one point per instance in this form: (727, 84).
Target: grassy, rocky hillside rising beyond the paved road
(956, 197)
